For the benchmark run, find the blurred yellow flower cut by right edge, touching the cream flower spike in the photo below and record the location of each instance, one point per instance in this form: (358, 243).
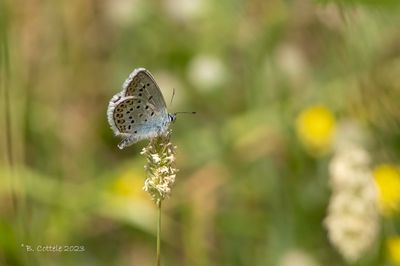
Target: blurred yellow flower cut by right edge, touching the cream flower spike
(387, 178)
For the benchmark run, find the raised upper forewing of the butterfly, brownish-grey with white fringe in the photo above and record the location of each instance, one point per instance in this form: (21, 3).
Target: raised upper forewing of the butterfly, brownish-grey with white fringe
(142, 85)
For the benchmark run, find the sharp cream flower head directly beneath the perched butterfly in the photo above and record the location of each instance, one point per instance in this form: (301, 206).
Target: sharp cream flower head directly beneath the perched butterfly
(160, 167)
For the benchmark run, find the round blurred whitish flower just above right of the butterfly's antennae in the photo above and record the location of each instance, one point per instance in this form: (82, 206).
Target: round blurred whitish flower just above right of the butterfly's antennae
(207, 72)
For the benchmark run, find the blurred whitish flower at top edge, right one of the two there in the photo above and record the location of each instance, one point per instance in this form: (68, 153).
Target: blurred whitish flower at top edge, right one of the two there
(184, 9)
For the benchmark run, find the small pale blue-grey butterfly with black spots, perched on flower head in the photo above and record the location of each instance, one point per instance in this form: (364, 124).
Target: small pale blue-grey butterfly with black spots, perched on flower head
(139, 111)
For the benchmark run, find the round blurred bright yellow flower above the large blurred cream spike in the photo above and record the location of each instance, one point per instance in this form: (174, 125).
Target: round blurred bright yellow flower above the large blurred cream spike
(315, 128)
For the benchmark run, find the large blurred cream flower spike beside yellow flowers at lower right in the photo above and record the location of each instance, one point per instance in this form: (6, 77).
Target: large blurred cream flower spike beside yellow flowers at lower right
(353, 220)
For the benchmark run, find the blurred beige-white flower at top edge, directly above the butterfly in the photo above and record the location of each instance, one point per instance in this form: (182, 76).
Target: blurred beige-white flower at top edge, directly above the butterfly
(124, 12)
